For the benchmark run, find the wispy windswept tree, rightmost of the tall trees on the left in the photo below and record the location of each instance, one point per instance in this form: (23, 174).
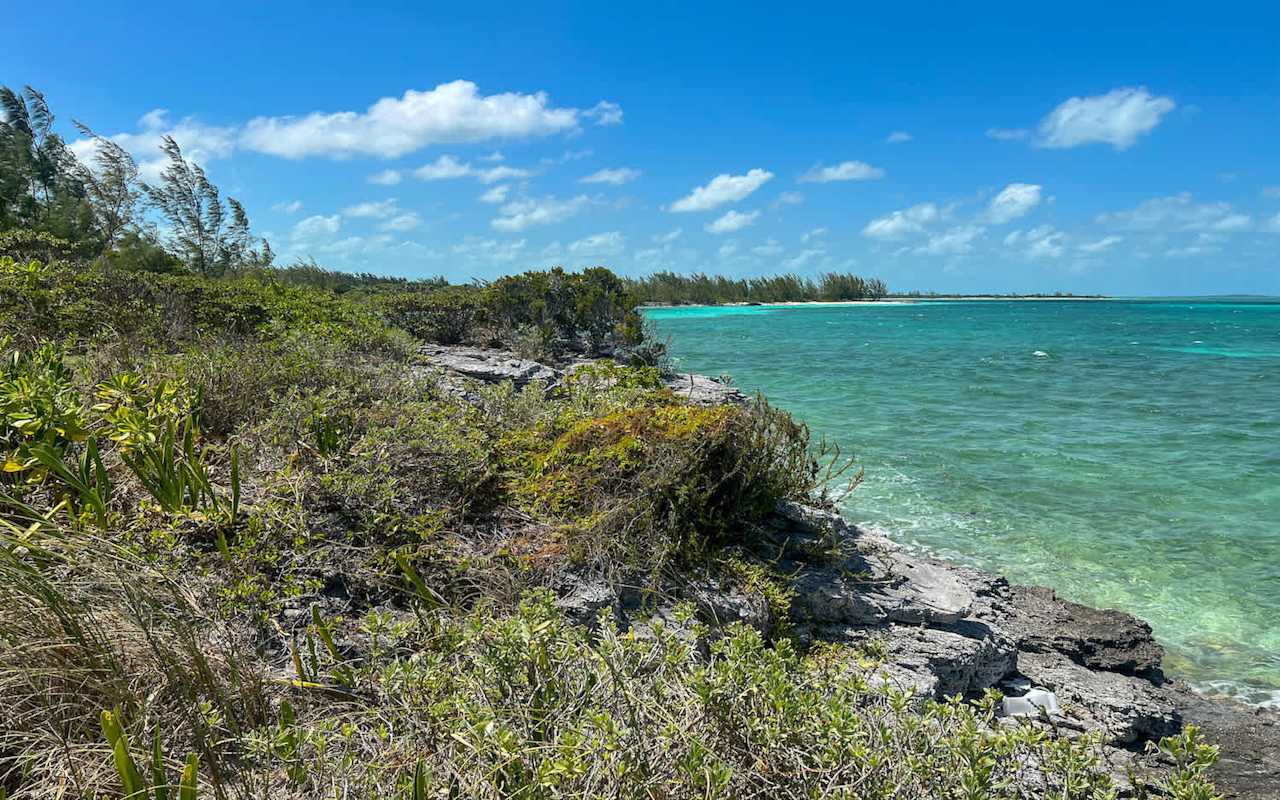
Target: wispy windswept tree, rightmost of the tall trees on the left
(209, 236)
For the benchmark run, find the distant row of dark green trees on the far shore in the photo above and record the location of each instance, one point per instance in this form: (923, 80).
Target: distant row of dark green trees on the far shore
(670, 289)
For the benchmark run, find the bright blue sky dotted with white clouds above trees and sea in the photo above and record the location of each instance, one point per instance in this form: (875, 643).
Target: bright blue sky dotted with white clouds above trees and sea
(1020, 148)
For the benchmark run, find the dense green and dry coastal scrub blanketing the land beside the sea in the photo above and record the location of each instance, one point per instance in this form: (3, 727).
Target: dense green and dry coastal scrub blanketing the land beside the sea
(252, 546)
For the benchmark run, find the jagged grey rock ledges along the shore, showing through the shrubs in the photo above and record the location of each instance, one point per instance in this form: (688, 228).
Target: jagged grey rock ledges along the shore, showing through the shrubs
(943, 629)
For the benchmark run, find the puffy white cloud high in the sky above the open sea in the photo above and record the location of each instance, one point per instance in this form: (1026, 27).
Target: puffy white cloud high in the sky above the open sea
(1117, 118)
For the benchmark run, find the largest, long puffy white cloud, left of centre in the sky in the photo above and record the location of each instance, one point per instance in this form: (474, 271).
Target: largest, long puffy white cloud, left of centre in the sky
(451, 113)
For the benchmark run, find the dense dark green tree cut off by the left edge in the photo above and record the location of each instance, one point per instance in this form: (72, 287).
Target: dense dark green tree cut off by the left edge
(40, 180)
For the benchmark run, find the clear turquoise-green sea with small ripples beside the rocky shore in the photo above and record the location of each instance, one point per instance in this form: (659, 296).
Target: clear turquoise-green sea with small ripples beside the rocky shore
(1126, 454)
